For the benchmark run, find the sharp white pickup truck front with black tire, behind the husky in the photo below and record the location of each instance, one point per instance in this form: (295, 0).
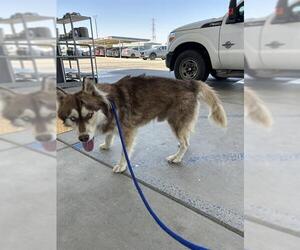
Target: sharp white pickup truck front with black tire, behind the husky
(214, 46)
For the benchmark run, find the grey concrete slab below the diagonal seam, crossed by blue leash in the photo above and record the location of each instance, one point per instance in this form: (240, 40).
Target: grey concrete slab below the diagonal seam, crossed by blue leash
(101, 210)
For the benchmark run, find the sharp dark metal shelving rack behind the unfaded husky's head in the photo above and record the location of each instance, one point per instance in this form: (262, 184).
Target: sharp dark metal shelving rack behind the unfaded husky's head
(69, 79)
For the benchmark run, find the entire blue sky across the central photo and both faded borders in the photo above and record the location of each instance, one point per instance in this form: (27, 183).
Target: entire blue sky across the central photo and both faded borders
(133, 17)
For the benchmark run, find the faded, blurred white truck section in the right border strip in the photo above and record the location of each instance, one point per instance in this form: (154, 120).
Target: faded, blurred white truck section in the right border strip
(272, 43)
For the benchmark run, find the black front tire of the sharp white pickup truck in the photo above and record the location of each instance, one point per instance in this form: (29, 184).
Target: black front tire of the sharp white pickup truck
(191, 65)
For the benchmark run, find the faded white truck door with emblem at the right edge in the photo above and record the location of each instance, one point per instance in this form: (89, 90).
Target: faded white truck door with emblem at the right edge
(280, 41)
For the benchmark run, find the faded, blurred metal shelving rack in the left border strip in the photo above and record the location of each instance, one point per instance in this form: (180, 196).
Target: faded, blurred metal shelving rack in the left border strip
(26, 41)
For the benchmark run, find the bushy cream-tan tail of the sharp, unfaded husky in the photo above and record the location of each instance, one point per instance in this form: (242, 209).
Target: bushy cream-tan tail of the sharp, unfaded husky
(210, 97)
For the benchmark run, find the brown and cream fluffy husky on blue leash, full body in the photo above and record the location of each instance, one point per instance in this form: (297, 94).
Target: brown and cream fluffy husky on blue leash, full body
(139, 100)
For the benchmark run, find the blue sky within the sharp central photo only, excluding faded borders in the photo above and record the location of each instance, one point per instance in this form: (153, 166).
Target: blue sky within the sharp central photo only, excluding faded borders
(133, 17)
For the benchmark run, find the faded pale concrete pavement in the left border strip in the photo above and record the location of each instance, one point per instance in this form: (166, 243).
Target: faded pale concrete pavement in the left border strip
(28, 194)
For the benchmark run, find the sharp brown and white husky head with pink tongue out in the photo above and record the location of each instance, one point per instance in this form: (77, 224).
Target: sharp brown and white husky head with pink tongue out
(86, 111)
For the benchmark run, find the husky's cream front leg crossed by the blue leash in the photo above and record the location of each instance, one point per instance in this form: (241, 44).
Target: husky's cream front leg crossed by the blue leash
(129, 135)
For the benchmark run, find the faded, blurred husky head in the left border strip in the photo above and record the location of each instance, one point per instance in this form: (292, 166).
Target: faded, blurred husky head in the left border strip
(36, 110)
